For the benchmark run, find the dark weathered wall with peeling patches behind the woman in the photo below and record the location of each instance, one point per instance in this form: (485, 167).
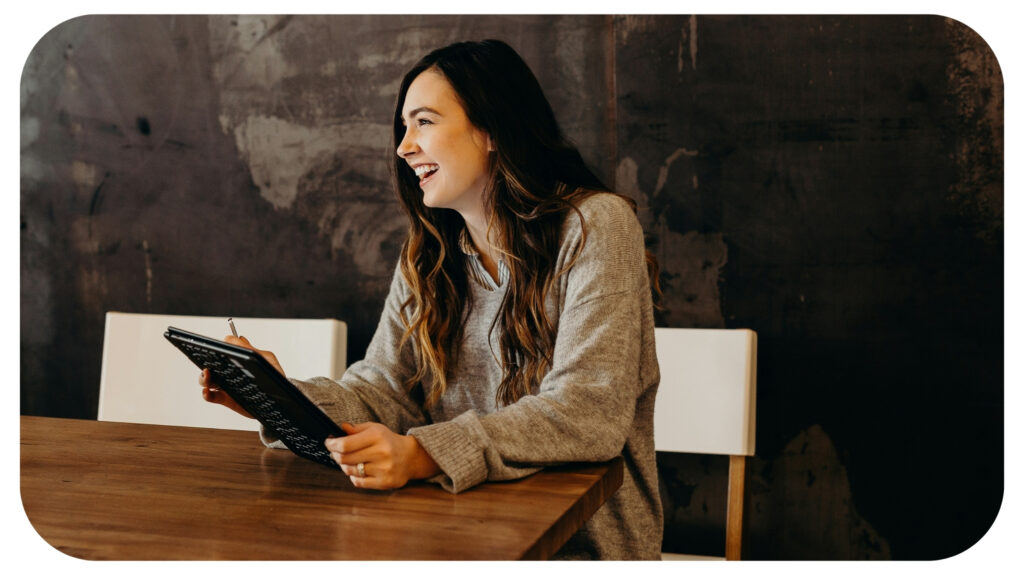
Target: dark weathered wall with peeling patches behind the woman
(833, 183)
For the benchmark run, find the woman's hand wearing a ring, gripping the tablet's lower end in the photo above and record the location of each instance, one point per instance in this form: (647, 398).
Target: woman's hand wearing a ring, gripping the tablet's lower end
(390, 461)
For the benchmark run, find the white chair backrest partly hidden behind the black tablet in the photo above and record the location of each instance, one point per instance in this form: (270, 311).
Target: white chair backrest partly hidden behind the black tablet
(147, 380)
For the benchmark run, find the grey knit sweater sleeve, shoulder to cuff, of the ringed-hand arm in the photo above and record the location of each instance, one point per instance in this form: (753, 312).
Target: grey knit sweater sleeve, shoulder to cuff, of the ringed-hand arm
(584, 411)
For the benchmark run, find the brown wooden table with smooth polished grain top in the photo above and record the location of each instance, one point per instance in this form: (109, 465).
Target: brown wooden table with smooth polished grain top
(106, 491)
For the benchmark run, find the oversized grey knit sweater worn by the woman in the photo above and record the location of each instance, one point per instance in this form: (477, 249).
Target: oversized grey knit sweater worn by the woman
(595, 404)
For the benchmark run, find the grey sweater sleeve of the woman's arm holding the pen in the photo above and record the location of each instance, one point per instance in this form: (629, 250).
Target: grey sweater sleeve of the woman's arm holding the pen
(375, 388)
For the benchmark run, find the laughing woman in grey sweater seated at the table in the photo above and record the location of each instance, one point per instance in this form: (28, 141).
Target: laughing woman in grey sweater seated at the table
(519, 332)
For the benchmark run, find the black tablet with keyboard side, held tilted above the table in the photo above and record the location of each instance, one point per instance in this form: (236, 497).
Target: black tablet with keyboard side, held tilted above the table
(264, 392)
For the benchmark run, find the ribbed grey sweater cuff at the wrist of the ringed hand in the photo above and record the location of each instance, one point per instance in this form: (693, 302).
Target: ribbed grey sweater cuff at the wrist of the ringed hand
(451, 446)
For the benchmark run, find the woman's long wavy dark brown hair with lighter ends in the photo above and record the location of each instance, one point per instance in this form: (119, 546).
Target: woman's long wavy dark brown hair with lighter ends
(537, 179)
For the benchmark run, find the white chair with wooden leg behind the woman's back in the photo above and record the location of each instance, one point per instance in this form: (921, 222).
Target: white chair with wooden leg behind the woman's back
(707, 405)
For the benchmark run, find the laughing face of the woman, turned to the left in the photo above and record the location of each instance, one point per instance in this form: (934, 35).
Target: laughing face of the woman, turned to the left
(449, 154)
